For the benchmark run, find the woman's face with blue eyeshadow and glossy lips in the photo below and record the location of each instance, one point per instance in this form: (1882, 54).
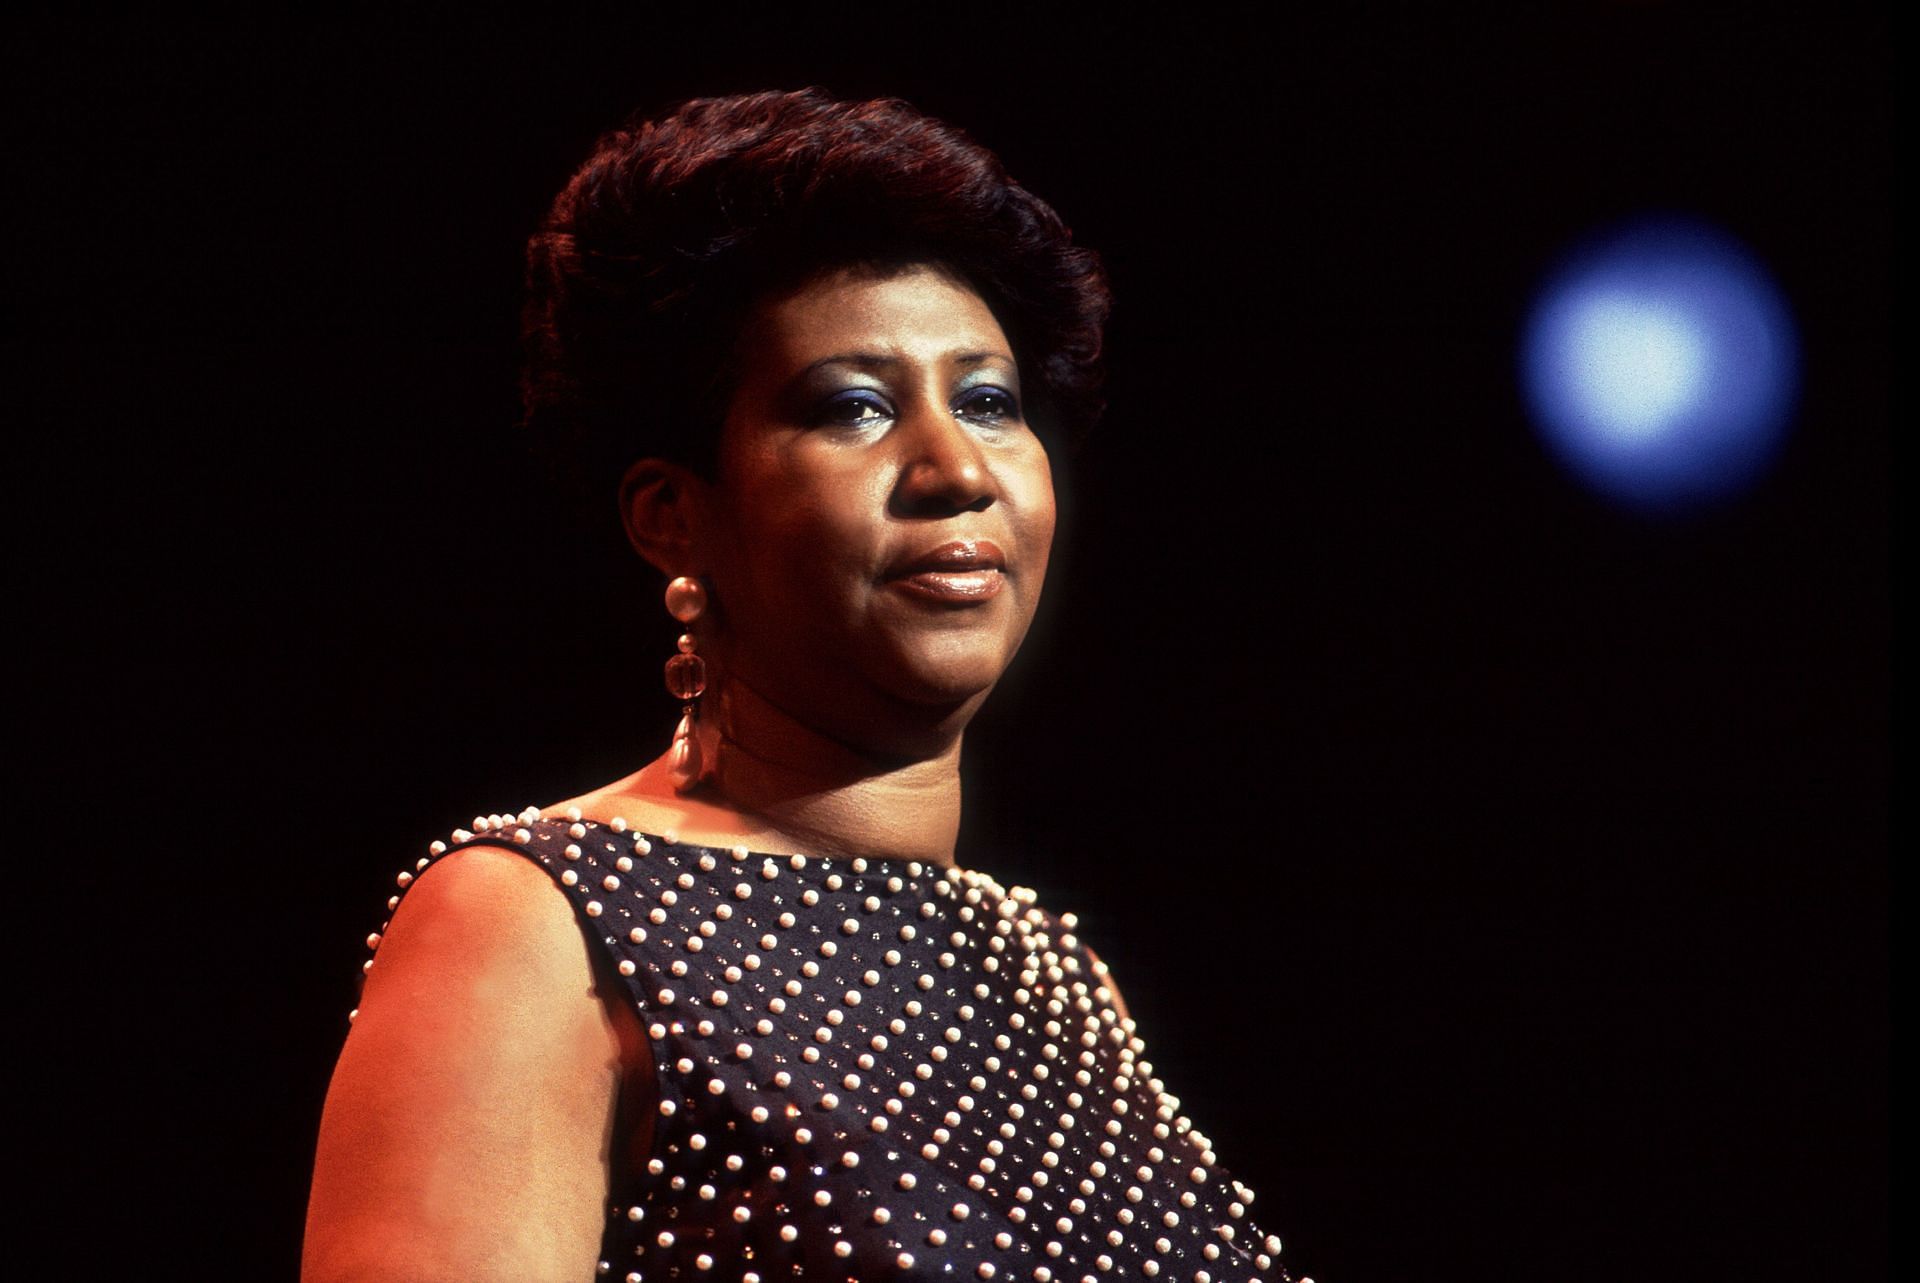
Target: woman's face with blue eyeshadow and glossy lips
(884, 514)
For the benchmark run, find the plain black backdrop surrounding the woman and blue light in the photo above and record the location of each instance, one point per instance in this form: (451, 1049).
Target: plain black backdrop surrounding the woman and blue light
(1500, 879)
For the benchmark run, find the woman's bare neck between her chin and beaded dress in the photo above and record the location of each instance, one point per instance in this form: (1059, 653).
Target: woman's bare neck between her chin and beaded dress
(775, 785)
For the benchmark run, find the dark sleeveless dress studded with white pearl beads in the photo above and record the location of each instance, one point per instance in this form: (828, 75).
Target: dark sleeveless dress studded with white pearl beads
(880, 1071)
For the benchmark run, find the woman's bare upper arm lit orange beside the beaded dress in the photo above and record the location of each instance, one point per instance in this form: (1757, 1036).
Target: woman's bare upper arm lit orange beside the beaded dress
(469, 1125)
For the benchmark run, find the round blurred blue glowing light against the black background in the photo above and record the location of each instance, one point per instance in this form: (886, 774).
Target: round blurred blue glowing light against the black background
(1660, 364)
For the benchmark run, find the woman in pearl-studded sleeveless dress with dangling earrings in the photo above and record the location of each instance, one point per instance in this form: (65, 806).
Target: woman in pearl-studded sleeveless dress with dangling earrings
(740, 1015)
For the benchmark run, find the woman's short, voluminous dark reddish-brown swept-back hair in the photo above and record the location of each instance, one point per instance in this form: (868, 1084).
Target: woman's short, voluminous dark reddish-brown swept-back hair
(644, 270)
